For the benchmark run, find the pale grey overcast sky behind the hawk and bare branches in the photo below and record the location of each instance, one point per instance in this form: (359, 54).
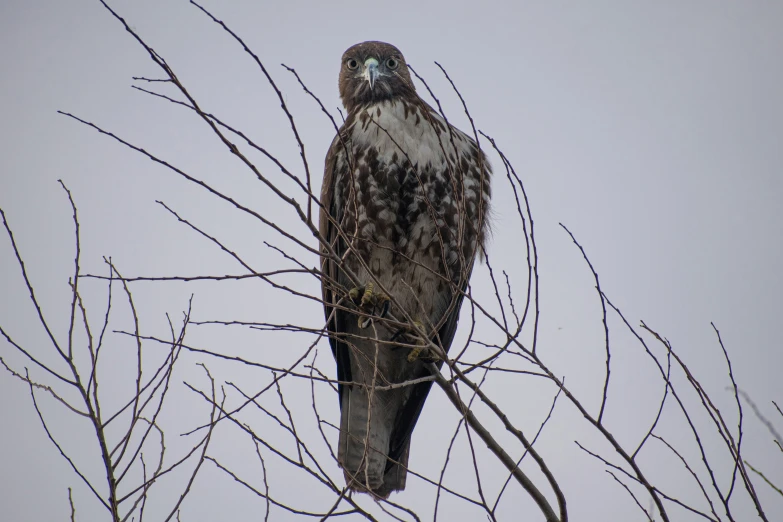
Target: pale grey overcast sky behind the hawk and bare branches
(653, 130)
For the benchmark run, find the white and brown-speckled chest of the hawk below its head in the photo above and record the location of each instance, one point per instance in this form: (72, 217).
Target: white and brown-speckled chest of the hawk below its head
(393, 185)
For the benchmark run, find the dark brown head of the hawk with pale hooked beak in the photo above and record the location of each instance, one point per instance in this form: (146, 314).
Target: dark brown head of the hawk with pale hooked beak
(373, 72)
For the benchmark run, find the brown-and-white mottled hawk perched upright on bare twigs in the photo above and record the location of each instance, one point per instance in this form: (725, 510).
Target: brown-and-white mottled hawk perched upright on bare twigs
(404, 205)
